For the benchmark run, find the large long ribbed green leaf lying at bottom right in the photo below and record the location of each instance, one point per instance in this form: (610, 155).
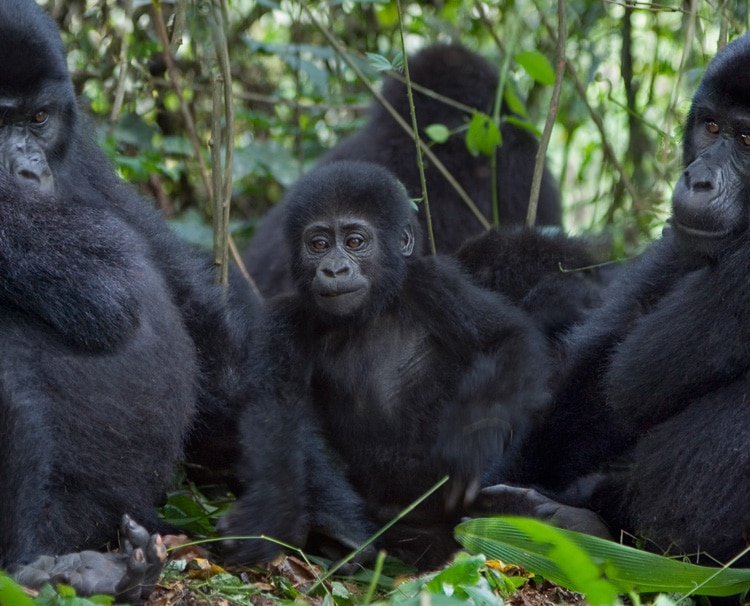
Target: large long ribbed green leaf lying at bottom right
(581, 562)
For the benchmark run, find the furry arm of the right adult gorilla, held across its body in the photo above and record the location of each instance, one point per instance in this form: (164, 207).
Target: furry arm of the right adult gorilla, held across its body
(668, 337)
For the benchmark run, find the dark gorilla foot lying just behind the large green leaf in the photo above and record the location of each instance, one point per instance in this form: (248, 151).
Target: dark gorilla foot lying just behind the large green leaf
(515, 500)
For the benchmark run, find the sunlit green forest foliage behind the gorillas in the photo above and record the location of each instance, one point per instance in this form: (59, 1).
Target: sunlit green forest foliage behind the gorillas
(615, 146)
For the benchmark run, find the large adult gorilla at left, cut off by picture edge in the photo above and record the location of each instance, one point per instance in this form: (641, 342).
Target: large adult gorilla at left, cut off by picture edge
(110, 333)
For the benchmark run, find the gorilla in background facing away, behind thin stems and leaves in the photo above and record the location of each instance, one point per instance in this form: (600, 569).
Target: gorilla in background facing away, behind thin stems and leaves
(460, 75)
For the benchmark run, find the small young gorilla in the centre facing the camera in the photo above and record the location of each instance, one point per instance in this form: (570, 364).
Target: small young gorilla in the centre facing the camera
(412, 371)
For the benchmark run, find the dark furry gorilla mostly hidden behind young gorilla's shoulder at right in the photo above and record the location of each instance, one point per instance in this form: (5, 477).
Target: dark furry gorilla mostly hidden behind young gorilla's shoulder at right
(556, 278)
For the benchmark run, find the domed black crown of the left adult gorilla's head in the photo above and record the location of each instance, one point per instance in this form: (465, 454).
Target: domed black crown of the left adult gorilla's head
(30, 47)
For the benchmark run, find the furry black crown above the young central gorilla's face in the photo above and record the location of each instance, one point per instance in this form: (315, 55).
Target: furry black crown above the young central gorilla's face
(355, 189)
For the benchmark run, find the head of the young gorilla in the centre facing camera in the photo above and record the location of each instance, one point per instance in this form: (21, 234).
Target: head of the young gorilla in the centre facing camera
(350, 265)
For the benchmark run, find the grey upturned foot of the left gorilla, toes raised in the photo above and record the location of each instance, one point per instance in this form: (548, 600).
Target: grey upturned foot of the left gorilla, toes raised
(129, 573)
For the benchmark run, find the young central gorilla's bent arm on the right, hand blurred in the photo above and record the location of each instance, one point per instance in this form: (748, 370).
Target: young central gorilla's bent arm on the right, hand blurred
(503, 386)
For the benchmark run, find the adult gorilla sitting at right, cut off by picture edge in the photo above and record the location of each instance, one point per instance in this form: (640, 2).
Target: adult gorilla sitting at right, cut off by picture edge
(654, 417)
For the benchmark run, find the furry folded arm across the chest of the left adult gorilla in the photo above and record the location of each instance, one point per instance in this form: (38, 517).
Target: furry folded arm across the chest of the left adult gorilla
(67, 264)
